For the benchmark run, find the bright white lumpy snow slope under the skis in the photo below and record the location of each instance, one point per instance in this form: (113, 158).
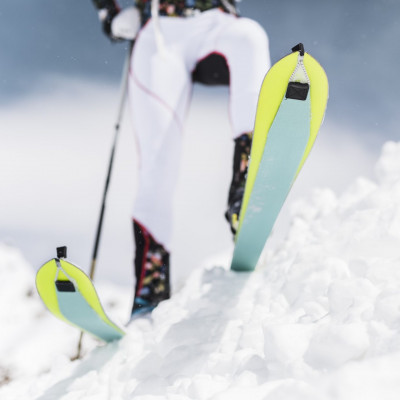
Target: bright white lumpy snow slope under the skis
(319, 319)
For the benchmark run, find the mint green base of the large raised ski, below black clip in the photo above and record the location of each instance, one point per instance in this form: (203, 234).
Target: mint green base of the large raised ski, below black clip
(286, 144)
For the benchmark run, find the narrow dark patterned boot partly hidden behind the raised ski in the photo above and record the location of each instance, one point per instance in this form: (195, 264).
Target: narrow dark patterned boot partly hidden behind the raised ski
(240, 164)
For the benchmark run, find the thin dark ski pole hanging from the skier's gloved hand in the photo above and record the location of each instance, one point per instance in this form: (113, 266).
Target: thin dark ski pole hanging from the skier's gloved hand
(123, 90)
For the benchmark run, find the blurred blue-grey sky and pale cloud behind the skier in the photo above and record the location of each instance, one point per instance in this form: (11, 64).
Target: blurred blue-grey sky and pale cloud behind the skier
(59, 93)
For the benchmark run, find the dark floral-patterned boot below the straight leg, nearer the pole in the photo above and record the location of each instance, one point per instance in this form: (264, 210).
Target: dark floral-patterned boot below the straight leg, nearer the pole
(151, 270)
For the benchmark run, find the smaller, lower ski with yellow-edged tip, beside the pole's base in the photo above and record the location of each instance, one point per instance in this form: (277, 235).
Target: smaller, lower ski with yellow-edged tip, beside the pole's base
(69, 294)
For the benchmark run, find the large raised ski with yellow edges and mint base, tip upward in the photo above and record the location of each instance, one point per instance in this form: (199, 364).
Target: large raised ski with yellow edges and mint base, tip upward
(290, 111)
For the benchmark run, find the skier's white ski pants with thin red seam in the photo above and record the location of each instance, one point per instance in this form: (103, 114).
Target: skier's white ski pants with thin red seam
(160, 89)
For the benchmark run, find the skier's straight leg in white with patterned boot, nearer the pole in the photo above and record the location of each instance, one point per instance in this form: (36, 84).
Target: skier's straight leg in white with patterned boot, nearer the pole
(159, 92)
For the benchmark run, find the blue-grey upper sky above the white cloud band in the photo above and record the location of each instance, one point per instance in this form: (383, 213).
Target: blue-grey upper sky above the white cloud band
(355, 41)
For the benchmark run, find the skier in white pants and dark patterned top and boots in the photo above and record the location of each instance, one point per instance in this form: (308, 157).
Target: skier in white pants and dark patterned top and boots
(181, 41)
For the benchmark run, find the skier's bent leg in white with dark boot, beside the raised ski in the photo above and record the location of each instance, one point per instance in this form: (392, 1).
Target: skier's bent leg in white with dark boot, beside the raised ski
(244, 43)
